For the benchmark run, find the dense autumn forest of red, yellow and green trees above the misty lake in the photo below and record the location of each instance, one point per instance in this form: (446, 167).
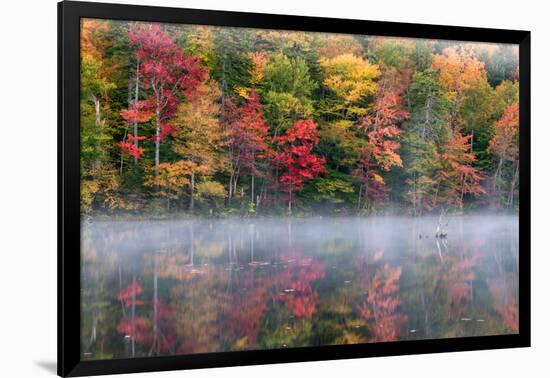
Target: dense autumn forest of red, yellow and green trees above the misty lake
(216, 121)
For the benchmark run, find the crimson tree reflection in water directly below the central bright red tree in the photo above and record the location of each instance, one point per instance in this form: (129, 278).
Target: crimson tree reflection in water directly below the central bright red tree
(298, 295)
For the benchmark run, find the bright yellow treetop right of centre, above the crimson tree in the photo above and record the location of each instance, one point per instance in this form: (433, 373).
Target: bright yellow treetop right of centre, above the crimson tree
(351, 79)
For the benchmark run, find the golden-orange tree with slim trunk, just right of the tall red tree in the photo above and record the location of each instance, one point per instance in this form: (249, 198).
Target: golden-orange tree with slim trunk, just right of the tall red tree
(200, 137)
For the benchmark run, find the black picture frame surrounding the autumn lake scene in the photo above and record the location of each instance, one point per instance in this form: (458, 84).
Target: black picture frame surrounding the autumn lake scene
(69, 14)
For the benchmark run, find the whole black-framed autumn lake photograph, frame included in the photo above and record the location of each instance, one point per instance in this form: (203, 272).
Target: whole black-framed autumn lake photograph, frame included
(239, 188)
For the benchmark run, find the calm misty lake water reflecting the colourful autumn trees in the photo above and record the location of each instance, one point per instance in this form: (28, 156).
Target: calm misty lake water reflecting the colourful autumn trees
(178, 287)
